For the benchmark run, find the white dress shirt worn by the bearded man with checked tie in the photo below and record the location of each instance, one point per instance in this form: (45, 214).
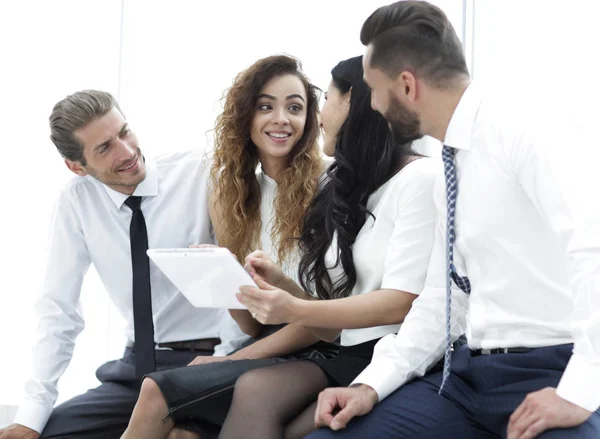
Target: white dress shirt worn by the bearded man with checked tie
(528, 238)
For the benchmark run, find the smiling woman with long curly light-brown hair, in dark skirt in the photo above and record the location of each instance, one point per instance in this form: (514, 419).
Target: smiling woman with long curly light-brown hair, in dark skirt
(270, 118)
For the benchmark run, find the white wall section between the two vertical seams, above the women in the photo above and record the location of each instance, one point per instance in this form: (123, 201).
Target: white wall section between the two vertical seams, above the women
(180, 56)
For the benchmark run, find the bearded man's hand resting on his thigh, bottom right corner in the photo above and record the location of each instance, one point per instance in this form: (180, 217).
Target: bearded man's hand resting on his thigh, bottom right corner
(544, 410)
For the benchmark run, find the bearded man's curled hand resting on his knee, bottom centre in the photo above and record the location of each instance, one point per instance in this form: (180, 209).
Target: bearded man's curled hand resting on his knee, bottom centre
(350, 401)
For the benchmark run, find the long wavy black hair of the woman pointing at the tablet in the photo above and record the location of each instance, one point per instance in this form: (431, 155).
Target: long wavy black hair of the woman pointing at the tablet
(365, 158)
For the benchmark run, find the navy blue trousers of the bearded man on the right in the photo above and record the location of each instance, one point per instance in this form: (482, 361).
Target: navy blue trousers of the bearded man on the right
(477, 401)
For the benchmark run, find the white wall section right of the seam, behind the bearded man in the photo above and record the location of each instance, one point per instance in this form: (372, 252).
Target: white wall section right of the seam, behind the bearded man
(541, 47)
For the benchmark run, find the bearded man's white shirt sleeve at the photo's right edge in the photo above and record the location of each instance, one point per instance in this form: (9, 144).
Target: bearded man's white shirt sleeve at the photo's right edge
(559, 173)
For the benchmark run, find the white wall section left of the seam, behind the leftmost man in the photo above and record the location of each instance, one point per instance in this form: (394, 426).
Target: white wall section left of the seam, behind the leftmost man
(47, 49)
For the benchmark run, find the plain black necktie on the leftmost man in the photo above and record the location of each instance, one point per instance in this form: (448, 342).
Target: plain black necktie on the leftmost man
(142, 299)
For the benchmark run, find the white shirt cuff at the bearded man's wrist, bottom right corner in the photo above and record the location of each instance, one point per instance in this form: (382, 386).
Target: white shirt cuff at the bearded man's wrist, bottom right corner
(580, 383)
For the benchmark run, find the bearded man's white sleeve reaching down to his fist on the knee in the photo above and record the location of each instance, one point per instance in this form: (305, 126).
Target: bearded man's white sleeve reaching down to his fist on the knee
(421, 340)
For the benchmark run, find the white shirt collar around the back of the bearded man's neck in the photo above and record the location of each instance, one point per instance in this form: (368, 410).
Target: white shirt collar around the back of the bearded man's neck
(458, 134)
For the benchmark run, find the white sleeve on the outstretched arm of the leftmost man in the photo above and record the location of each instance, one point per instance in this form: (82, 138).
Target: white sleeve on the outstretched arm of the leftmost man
(58, 311)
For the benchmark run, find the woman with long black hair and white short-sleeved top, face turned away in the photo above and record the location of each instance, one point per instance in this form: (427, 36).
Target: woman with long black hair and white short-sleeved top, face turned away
(365, 246)
